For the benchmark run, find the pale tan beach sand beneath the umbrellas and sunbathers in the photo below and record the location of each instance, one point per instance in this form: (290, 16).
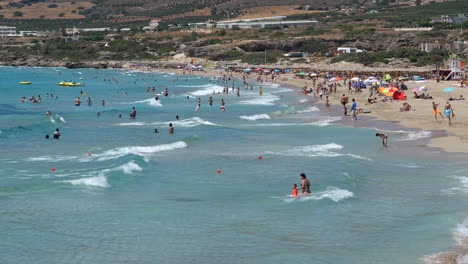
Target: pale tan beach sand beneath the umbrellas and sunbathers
(454, 140)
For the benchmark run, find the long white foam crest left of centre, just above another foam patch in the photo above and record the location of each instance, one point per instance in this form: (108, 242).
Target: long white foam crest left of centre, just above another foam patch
(138, 150)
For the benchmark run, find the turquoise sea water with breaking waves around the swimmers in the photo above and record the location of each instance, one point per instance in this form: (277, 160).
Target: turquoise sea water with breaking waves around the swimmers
(142, 197)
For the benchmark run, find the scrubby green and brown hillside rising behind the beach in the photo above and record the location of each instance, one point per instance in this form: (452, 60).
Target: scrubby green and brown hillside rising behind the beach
(341, 23)
